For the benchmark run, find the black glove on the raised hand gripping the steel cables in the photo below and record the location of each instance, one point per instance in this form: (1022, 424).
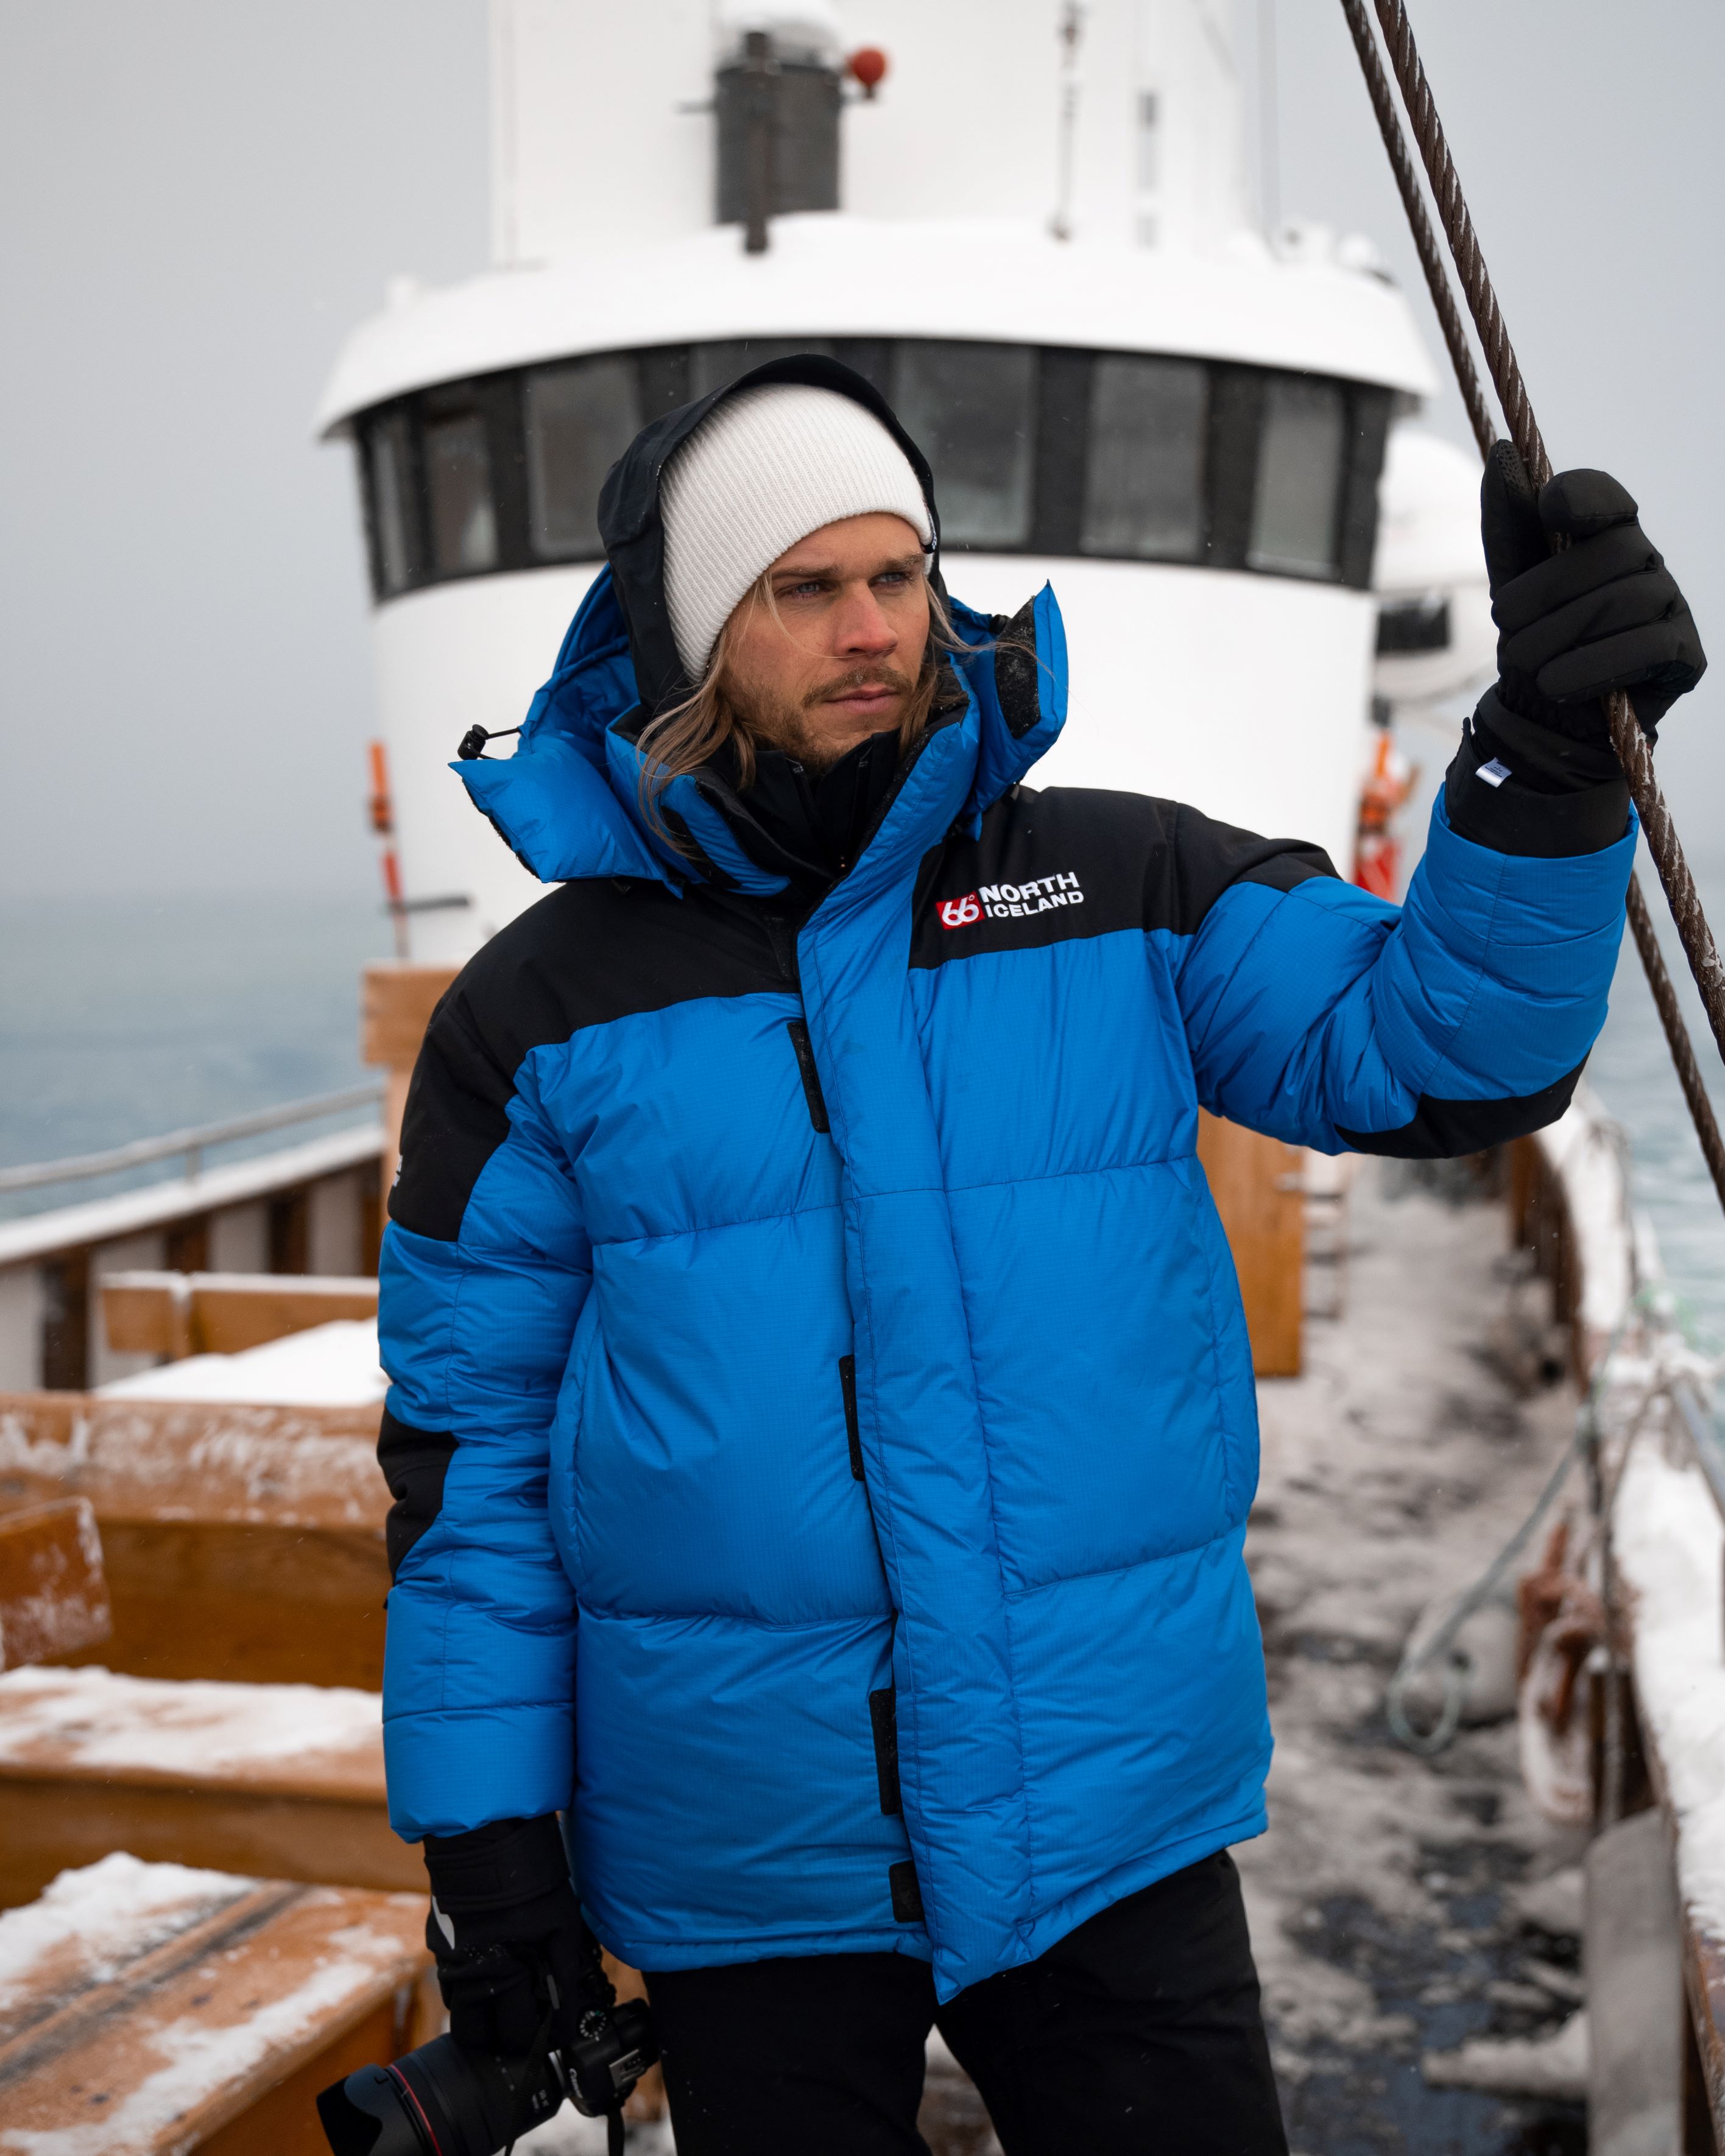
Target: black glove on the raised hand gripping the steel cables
(1605, 613)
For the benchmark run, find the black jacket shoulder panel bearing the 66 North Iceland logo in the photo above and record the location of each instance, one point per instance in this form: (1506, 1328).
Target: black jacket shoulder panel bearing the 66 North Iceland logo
(1051, 868)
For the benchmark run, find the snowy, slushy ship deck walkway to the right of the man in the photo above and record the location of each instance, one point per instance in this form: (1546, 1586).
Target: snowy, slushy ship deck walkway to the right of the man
(1403, 1907)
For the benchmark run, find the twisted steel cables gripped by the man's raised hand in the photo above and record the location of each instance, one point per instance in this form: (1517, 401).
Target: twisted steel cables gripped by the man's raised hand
(1627, 736)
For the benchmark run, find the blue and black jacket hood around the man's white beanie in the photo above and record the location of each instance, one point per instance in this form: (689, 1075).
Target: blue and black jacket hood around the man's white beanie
(570, 797)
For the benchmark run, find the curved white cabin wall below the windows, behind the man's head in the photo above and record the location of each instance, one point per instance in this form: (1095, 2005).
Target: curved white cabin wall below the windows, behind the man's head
(1243, 695)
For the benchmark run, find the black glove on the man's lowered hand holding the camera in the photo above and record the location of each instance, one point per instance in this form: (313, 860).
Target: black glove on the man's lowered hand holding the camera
(516, 1963)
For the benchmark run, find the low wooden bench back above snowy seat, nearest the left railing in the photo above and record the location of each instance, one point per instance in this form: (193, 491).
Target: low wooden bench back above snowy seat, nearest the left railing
(178, 1314)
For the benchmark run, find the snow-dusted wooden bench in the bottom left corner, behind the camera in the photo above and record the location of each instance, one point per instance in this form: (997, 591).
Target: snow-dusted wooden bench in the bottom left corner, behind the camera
(152, 2008)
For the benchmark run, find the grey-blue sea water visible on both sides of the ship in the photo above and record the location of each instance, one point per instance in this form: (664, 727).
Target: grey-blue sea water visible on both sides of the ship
(122, 1019)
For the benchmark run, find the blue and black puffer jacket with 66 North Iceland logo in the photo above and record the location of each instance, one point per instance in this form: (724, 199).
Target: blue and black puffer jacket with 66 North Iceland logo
(823, 1415)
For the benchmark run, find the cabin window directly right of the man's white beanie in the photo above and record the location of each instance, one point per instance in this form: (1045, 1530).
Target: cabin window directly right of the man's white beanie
(974, 413)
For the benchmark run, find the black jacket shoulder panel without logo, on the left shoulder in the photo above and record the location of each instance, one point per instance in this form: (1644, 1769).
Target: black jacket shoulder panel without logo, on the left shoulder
(585, 956)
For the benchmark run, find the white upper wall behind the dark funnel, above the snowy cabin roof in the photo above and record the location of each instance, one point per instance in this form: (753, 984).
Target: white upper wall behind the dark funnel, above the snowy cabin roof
(592, 146)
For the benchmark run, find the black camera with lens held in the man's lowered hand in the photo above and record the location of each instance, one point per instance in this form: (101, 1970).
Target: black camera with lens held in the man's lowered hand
(450, 2101)
